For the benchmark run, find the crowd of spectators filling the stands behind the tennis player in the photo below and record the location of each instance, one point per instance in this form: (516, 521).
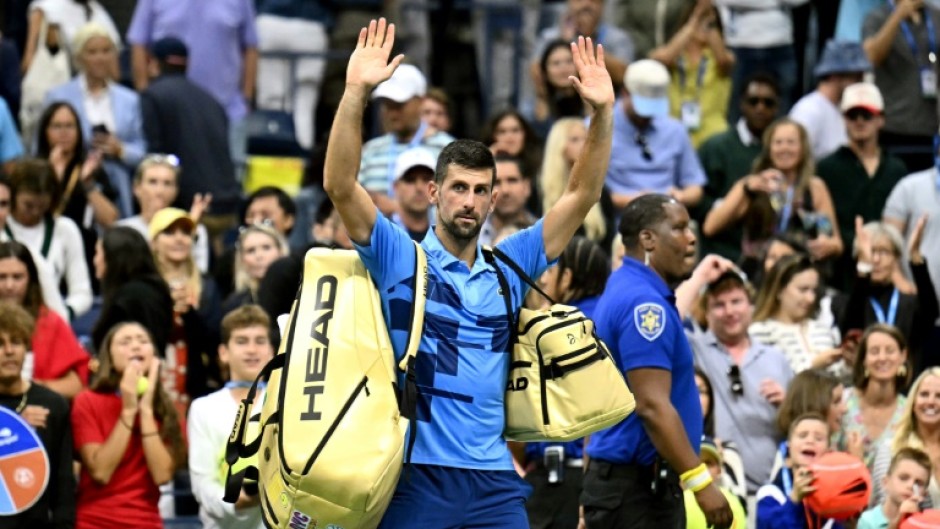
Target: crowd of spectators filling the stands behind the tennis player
(129, 247)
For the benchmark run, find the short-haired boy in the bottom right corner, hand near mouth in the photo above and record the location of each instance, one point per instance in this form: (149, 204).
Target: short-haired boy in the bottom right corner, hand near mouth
(907, 479)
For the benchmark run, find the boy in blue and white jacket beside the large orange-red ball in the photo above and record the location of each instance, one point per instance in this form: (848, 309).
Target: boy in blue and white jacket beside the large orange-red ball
(780, 503)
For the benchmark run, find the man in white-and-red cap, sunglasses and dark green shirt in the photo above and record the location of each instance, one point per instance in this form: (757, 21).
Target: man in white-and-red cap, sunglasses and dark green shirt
(863, 173)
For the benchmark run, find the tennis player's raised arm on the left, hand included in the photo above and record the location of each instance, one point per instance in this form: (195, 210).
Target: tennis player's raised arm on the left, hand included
(368, 66)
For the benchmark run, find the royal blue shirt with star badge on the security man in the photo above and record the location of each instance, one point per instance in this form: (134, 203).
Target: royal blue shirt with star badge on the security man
(638, 320)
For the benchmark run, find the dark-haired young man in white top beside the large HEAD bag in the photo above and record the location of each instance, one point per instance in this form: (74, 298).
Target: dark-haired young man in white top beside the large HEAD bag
(245, 349)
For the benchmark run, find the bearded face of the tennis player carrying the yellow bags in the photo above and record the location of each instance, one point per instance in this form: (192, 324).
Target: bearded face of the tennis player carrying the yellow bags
(464, 198)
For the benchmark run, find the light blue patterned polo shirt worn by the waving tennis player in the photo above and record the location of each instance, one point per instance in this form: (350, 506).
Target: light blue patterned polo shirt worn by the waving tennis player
(463, 361)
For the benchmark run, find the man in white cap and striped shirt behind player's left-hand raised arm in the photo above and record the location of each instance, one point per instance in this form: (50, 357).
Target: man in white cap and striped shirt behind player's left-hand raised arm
(400, 99)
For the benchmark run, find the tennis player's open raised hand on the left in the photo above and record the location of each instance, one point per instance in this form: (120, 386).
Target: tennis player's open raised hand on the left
(368, 65)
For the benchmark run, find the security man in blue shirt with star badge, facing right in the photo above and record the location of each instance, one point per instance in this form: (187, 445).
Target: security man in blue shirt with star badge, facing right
(633, 478)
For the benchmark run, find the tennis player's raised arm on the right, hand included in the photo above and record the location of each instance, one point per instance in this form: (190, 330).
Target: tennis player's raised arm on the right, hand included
(587, 176)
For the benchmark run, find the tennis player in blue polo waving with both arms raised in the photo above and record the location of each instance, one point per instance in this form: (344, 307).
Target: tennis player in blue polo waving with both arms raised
(462, 473)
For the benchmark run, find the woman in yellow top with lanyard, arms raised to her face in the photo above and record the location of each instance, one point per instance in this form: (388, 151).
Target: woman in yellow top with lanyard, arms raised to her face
(701, 67)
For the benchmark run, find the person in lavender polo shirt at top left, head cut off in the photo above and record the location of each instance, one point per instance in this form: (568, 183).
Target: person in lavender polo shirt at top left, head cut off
(221, 40)
